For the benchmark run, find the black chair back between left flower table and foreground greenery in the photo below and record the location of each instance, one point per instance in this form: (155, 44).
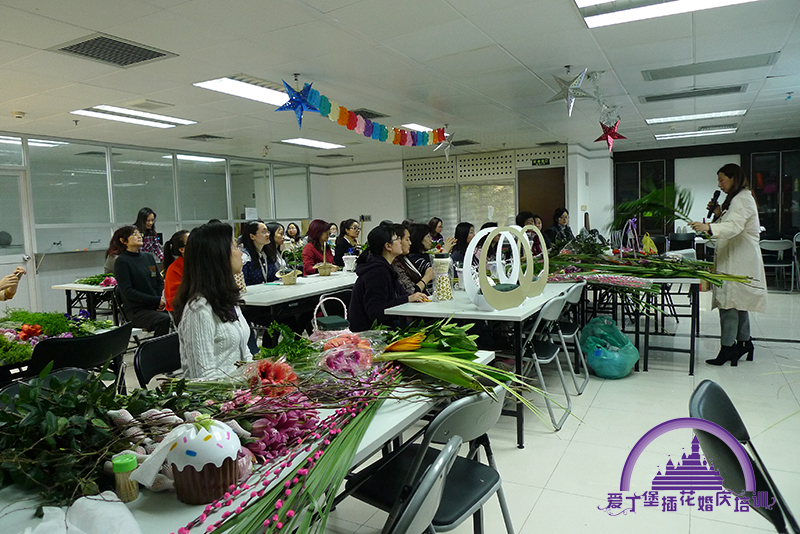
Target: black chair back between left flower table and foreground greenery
(88, 352)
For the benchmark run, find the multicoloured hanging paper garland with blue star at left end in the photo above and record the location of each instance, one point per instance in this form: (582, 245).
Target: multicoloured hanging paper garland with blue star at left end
(311, 99)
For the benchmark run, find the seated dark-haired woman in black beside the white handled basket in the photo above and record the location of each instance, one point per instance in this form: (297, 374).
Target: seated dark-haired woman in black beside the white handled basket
(377, 288)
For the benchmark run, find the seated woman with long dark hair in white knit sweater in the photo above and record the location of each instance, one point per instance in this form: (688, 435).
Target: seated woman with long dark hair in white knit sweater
(212, 330)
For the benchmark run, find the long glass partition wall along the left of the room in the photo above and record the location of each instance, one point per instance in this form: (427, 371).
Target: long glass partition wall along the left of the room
(81, 192)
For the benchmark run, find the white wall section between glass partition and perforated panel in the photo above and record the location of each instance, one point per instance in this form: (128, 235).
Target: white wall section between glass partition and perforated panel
(344, 193)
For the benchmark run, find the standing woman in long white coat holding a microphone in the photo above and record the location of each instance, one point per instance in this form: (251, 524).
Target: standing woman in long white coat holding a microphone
(736, 229)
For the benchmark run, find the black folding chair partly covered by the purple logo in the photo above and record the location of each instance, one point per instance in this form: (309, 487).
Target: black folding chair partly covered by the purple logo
(710, 402)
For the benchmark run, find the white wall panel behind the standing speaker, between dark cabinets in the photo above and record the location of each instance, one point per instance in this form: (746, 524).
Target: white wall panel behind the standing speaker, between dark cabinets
(699, 175)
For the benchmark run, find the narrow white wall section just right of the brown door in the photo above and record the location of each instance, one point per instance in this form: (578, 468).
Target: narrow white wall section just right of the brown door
(590, 183)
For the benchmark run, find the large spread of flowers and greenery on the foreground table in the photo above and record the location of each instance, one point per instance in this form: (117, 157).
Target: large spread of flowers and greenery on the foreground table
(300, 417)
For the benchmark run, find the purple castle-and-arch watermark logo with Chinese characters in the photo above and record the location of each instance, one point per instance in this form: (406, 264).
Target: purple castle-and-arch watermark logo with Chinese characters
(693, 482)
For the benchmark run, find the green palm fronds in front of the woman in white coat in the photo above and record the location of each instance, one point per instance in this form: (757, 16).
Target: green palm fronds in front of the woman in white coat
(670, 203)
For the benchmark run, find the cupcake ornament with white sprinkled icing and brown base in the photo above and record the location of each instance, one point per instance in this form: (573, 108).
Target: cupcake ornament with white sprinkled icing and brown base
(203, 458)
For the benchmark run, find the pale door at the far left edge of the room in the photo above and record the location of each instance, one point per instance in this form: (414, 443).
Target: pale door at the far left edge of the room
(15, 240)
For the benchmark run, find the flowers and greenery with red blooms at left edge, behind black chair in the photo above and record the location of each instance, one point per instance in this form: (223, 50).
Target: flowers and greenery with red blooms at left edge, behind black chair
(21, 330)
